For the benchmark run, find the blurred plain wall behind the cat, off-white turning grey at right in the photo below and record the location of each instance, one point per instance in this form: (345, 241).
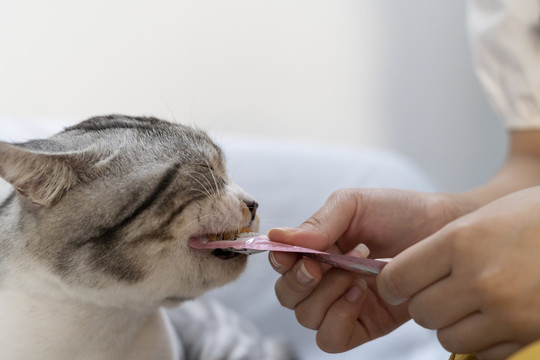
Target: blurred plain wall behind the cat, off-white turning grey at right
(374, 73)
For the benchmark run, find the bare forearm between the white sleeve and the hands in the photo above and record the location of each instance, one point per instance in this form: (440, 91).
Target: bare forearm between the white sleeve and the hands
(520, 170)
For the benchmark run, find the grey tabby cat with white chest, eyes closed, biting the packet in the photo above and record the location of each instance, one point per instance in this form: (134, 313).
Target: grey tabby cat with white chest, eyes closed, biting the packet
(94, 237)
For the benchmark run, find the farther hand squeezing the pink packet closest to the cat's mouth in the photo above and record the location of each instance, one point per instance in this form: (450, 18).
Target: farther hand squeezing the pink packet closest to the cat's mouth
(343, 307)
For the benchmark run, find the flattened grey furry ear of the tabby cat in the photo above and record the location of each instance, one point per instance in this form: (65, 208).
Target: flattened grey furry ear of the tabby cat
(42, 177)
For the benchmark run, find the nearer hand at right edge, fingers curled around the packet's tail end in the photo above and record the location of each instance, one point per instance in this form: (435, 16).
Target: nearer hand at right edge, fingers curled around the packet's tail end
(475, 280)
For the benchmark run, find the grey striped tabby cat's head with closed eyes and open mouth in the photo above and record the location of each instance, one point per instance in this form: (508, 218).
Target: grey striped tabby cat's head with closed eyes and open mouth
(104, 211)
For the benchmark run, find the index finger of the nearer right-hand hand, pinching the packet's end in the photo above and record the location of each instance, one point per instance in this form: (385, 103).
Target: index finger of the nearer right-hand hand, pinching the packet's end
(414, 269)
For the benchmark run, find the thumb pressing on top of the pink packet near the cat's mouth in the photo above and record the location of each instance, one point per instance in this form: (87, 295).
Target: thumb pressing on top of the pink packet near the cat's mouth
(324, 227)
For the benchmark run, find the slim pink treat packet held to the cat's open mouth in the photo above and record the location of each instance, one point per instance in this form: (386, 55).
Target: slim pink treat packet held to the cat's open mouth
(262, 243)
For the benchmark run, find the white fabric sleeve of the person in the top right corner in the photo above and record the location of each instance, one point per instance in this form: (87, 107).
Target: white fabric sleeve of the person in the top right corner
(505, 40)
